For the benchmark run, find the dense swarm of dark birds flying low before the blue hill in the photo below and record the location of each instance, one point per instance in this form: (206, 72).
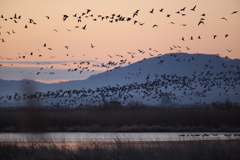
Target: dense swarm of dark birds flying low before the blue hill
(155, 88)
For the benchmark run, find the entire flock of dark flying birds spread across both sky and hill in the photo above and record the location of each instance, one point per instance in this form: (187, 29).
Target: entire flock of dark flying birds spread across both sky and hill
(149, 89)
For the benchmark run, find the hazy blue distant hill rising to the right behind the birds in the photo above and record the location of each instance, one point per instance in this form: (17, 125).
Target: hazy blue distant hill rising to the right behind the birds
(184, 78)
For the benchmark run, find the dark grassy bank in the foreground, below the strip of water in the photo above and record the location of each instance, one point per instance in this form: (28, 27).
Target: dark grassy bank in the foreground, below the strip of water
(181, 150)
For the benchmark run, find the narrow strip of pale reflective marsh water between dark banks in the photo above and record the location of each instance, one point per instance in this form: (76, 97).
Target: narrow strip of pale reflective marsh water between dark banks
(111, 136)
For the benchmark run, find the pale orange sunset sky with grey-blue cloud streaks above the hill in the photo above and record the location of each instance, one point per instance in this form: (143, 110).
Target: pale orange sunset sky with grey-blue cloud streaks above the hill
(114, 41)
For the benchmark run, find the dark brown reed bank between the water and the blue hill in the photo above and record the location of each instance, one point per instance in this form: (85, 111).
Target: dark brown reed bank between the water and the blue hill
(112, 117)
